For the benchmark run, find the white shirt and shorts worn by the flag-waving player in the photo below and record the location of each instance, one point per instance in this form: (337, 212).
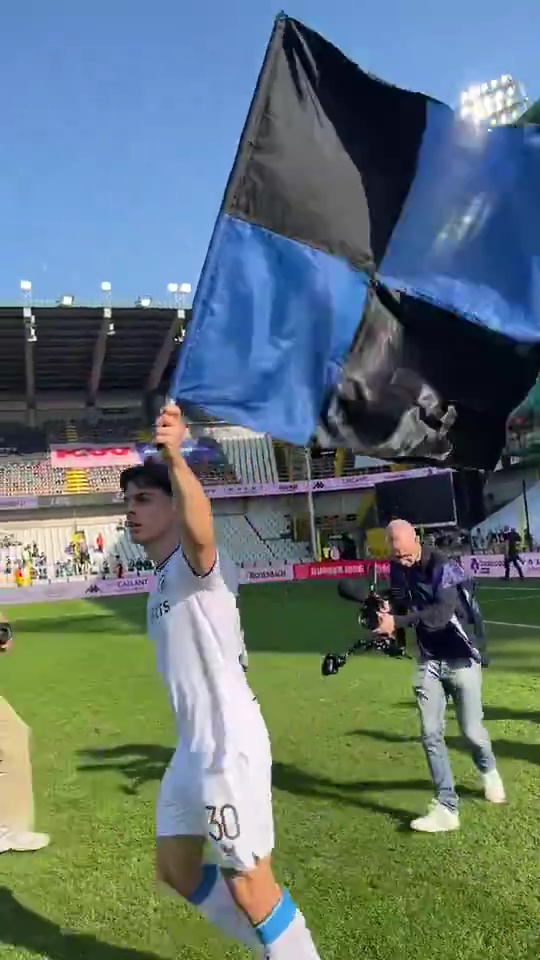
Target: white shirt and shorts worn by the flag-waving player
(218, 783)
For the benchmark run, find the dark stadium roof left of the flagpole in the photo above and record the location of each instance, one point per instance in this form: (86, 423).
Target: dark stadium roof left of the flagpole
(74, 352)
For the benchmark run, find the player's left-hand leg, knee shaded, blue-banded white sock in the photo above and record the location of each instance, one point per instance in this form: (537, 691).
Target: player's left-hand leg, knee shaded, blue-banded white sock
(180, 865)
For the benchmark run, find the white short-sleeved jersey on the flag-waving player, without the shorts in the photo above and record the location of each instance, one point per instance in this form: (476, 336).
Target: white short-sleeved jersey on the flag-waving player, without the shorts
(195, 625)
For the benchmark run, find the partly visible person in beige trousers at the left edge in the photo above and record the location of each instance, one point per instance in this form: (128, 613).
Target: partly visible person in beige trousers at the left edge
(16, 796)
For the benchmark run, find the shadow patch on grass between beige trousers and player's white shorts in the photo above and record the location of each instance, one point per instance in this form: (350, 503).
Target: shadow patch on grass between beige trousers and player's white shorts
(139, 763)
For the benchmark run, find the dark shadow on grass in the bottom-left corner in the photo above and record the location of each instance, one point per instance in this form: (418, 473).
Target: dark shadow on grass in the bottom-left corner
(25, 930)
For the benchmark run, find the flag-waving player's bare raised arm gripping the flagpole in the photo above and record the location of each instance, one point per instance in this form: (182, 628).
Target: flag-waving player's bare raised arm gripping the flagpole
(194, 511)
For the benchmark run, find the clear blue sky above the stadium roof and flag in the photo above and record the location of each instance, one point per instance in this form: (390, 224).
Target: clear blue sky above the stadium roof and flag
(120, 118)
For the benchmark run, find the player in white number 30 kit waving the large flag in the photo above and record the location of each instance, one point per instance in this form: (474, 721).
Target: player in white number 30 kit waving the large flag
(217, 787)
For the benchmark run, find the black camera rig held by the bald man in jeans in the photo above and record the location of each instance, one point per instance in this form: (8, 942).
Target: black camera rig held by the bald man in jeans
(370, 608)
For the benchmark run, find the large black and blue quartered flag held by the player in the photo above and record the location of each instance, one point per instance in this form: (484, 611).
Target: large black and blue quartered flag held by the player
(374, 272)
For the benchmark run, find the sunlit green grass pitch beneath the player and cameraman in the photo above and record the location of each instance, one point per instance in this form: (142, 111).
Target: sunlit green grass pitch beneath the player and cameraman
(349, 774)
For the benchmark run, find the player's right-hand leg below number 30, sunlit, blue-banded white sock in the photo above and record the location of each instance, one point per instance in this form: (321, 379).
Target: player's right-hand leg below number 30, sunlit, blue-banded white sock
(280, 926)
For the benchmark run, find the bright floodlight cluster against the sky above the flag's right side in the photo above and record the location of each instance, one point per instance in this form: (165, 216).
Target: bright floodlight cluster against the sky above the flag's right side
(495, 104)
